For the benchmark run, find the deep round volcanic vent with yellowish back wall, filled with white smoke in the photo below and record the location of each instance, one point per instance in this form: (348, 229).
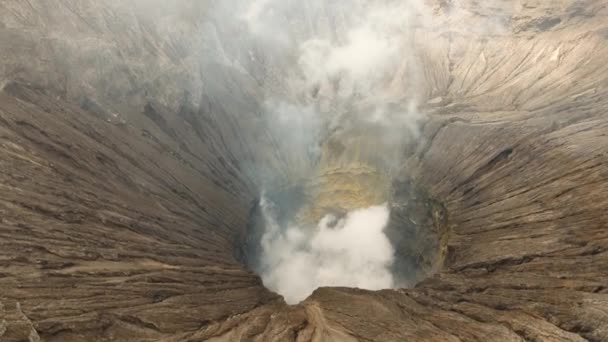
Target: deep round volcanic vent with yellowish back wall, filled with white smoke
(298, 239)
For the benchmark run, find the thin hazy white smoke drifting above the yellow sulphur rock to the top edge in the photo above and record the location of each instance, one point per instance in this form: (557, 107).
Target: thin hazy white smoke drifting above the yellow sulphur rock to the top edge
(344, 67)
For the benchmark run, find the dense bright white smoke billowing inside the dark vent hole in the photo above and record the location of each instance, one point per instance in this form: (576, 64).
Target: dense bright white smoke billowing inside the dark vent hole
(350, 251)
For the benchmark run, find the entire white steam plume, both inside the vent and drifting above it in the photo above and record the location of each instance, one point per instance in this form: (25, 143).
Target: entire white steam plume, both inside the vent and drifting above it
(330, 68)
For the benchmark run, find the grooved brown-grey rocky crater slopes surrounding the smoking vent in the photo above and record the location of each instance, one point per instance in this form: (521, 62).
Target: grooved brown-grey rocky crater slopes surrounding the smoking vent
(126, 184)
